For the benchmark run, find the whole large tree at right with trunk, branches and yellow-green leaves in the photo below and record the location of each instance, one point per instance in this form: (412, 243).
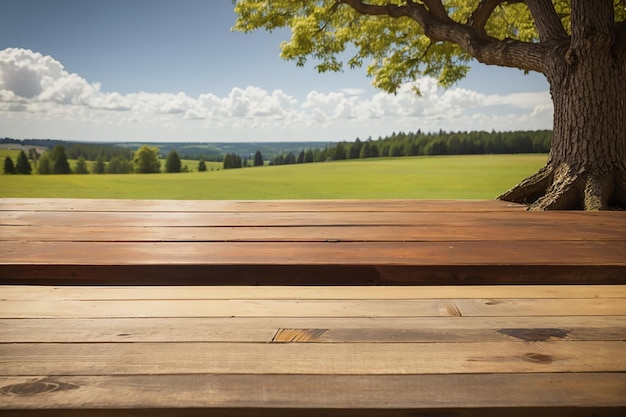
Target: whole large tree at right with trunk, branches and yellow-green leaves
(579, 45)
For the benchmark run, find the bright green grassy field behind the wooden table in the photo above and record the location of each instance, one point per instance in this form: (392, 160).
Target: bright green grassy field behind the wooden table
(443, 177)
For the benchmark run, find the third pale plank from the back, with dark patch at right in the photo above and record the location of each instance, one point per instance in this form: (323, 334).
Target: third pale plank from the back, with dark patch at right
(338, 330)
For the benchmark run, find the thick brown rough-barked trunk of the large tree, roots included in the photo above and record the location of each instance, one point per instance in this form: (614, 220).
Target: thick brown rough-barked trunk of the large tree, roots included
(586, 168)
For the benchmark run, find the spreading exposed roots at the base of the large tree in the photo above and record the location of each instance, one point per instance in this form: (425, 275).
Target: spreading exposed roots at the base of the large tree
(562, 188)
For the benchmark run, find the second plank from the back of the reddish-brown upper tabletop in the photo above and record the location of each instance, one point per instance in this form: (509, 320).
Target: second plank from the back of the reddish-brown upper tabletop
(608, 220)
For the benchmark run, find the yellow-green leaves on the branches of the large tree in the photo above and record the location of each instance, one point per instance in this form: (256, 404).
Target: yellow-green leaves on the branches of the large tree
(394, 47)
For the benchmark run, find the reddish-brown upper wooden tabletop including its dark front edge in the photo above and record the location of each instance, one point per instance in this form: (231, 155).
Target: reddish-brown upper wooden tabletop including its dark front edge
(333, 242)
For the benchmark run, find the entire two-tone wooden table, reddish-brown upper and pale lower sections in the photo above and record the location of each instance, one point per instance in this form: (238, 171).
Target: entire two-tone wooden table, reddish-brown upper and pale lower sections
(145, 308)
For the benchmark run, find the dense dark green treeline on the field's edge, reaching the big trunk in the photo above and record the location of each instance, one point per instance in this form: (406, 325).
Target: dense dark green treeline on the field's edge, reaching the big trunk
(420, 143)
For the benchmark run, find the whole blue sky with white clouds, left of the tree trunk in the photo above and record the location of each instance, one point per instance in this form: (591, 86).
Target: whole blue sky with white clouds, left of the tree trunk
(167, 71)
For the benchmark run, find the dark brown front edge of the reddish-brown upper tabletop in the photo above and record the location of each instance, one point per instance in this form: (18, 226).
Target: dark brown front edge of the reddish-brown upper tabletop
(302, 274)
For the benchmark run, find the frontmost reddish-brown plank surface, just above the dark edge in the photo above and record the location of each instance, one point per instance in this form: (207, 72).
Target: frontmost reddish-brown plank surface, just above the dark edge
(311, 254)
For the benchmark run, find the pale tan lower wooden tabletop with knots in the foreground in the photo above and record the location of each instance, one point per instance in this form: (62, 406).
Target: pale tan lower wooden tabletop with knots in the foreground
(479, 350)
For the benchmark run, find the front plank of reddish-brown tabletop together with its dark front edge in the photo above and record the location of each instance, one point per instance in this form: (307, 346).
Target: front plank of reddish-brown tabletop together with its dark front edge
(345, 263)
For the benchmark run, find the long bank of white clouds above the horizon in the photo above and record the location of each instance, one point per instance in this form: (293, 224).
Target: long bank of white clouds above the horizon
(38, 97)
